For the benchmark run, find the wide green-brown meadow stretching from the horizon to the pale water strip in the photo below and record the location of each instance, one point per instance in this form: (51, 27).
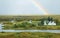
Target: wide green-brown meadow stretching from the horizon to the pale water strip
(22, 22)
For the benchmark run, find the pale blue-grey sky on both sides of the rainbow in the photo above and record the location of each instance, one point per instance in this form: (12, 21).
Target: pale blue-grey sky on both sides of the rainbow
(26, 7)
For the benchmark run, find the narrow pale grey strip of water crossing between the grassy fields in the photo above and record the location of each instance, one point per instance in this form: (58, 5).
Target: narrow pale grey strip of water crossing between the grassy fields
(50, 31)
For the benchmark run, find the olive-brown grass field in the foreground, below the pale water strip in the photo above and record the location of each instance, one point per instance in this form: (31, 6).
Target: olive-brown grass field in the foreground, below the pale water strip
(29, 35)
